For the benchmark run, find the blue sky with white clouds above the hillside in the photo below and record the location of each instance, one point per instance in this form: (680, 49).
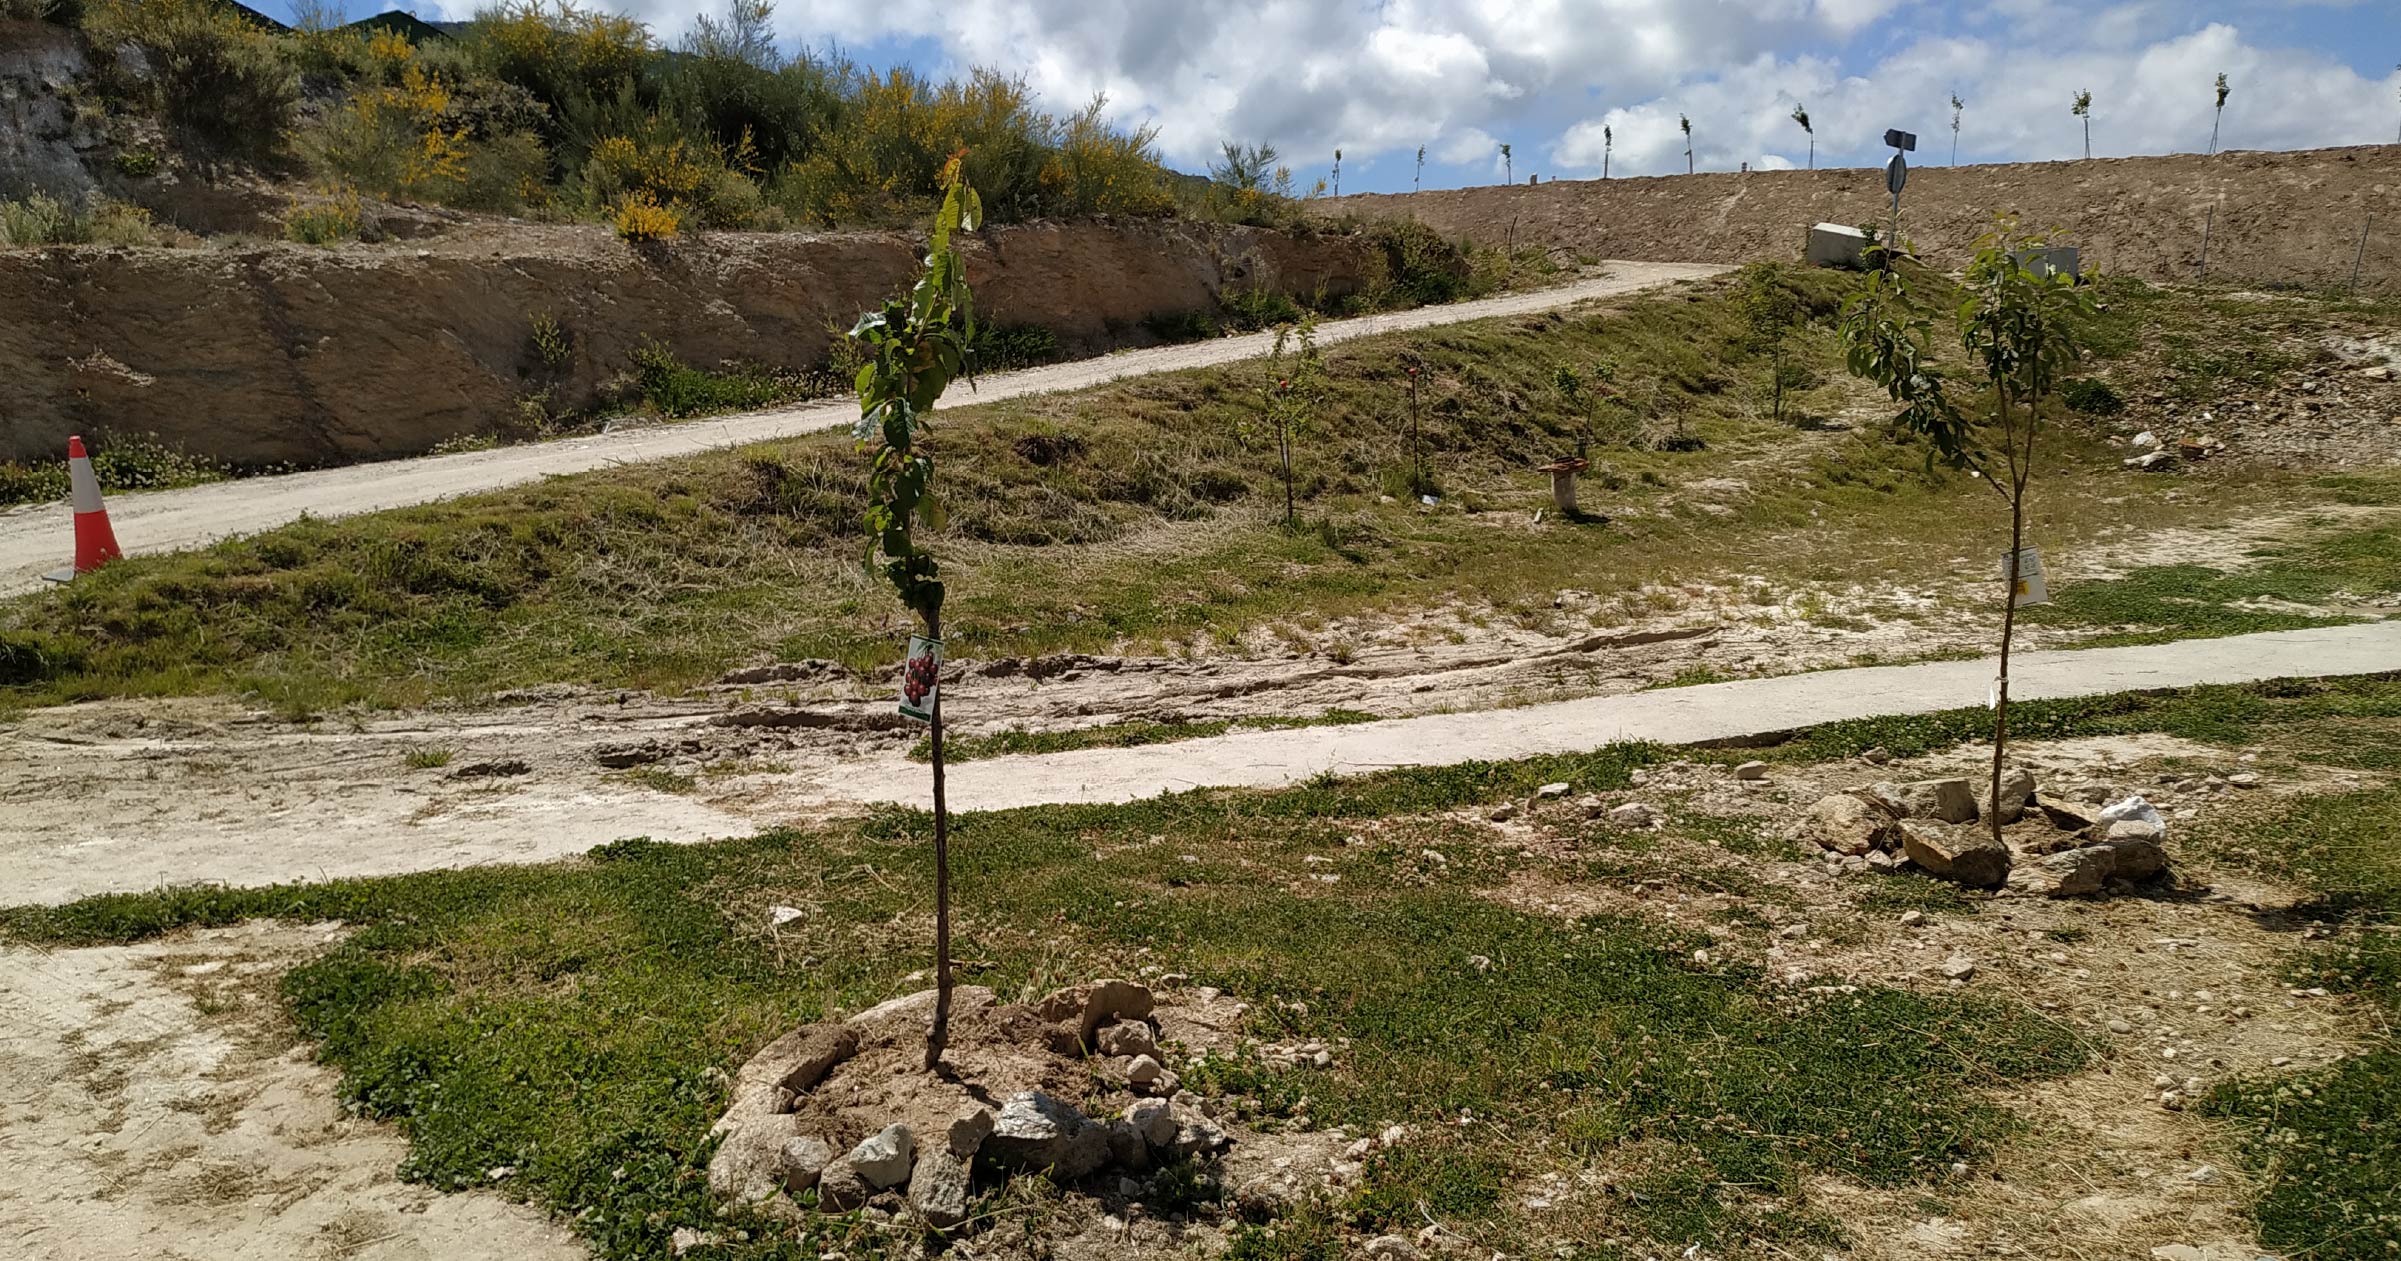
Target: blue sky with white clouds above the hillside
(1461, 78)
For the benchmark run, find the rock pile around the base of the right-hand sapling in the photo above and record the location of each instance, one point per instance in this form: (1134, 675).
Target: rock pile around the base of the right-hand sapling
(2052, 844)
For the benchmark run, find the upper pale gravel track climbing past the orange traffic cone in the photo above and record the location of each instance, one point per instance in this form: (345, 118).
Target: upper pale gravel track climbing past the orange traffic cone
(40, 539)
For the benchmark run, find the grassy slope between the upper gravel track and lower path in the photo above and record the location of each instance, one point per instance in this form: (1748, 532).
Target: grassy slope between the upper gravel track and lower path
(671, 573)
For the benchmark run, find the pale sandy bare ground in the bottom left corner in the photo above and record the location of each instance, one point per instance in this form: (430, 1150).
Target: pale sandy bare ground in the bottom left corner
(155, 1104)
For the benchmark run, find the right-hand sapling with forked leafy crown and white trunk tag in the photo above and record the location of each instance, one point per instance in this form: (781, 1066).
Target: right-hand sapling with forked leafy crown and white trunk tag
(2020, 335)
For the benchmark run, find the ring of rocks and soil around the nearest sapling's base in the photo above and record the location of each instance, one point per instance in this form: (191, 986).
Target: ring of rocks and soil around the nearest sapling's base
(1070, 1087)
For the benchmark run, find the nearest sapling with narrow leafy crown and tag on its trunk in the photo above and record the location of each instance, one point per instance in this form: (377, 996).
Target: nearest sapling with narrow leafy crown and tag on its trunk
(916, 347)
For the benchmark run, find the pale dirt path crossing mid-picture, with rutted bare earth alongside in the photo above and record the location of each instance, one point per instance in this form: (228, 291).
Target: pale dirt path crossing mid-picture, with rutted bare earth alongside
(128, 796)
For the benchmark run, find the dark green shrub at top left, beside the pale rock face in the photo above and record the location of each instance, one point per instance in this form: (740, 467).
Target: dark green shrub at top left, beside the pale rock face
(220, 83)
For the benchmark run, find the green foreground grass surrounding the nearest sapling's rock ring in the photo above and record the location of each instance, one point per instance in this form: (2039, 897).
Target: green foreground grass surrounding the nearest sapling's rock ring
(573, 1020)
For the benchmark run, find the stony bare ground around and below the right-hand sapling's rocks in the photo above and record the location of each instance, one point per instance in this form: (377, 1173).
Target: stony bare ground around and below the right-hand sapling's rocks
(2174, 991)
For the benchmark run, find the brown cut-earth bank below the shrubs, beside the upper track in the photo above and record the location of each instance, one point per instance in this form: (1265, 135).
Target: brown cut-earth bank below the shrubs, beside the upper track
(287, 354)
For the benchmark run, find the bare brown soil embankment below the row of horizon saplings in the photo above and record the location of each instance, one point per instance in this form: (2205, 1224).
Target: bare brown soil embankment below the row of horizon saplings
(2282, 220)
